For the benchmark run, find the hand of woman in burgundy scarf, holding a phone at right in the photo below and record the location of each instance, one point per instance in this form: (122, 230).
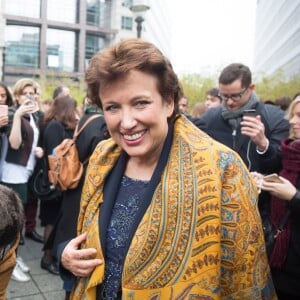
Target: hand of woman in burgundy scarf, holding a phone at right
(285, 190)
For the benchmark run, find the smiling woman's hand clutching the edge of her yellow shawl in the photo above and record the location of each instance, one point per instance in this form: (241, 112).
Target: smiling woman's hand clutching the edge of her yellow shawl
(80, 262)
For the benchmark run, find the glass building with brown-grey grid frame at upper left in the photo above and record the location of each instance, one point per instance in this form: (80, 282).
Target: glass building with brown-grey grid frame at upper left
(53, 37)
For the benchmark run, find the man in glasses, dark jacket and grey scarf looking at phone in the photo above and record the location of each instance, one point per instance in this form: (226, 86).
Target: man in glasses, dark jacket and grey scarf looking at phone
(256, 138)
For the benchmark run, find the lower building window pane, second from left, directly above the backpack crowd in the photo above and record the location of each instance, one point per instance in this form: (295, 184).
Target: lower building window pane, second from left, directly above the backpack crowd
(61, 50)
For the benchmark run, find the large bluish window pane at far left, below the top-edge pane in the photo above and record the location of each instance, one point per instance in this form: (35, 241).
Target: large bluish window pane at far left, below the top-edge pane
(23, 46)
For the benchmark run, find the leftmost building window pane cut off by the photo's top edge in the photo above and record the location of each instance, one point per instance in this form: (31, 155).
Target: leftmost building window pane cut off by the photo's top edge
(28, 8)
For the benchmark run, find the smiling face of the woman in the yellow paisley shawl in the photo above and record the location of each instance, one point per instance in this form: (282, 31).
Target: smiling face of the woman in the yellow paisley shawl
(136, 115)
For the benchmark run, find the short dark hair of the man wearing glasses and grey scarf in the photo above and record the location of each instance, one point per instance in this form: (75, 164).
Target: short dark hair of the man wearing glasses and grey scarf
(236, 71)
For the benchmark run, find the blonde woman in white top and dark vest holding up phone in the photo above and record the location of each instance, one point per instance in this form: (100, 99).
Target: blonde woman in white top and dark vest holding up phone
(21, 152)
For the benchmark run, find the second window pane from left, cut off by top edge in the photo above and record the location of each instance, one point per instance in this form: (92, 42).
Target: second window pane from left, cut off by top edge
(62, 11)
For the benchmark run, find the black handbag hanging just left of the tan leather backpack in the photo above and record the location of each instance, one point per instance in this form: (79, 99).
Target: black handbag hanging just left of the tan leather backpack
(40, 185)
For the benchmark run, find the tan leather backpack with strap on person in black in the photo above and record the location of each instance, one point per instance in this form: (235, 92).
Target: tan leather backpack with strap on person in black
(65, 168)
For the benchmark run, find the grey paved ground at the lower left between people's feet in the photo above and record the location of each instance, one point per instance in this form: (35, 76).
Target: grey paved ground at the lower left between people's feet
(42, 285)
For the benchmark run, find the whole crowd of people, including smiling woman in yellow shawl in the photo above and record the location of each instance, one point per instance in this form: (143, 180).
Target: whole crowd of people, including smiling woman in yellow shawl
(173, 202)
